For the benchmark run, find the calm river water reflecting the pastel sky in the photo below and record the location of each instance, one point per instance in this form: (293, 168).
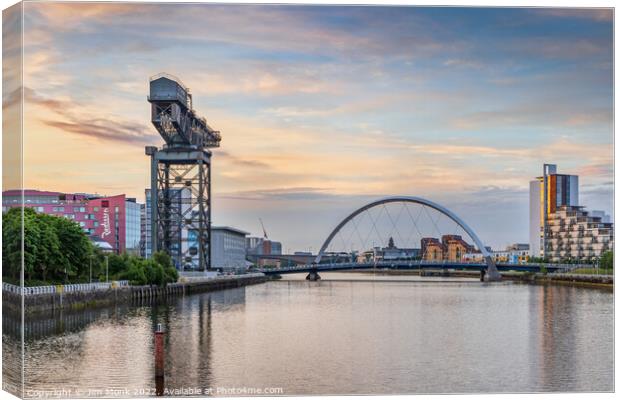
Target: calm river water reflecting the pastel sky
(375, 335)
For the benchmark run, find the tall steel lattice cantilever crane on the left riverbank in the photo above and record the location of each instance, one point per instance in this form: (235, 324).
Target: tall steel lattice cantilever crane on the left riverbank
(180, 193)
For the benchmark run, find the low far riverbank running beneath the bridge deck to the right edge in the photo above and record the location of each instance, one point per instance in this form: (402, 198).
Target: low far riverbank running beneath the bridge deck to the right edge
(578, 280)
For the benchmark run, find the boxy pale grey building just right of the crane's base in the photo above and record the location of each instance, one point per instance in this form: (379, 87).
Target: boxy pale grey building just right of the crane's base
(228, 251)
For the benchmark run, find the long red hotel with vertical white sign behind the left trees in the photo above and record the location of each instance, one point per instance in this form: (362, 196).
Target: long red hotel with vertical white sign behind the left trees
(111, 219)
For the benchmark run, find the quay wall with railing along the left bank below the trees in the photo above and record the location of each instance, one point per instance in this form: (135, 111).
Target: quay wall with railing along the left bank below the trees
(115, 295)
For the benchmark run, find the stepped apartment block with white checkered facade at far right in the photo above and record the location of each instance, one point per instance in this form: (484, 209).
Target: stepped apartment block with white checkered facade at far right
(573, 233)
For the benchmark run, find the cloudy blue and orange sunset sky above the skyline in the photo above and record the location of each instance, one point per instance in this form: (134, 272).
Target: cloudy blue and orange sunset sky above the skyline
(325, 108)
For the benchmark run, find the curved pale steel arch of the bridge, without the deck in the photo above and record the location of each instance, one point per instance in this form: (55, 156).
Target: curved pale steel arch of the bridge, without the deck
(492, 272)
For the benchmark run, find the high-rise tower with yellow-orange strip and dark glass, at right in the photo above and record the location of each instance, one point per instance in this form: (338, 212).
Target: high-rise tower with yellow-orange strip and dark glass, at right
(548, 193)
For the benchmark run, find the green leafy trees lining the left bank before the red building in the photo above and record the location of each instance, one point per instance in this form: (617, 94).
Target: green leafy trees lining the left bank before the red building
(56, 250)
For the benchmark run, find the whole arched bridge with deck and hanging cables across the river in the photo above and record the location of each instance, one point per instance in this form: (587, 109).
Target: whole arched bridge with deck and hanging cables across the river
(400, 232)
